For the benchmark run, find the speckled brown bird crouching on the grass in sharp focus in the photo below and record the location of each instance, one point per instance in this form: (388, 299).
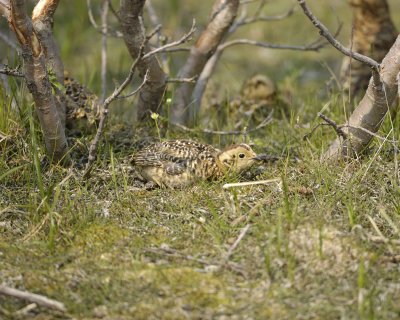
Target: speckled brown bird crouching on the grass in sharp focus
(180, 163)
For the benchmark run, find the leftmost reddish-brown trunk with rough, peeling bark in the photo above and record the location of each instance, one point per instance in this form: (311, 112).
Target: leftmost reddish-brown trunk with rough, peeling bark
(38, 82)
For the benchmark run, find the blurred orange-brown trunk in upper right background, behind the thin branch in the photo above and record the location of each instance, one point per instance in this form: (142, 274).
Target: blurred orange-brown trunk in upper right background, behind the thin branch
(373, 35)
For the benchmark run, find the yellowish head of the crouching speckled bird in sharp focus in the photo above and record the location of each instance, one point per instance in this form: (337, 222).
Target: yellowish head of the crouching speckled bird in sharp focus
(237, 158)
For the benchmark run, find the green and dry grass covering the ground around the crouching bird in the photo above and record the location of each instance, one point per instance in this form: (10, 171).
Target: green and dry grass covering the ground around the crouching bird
(109, 249)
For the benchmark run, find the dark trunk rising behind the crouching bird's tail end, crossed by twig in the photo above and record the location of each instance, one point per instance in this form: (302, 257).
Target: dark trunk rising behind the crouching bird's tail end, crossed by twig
(152, 92)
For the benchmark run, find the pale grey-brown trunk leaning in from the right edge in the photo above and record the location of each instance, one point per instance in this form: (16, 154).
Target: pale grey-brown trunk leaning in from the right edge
(369, 114)
